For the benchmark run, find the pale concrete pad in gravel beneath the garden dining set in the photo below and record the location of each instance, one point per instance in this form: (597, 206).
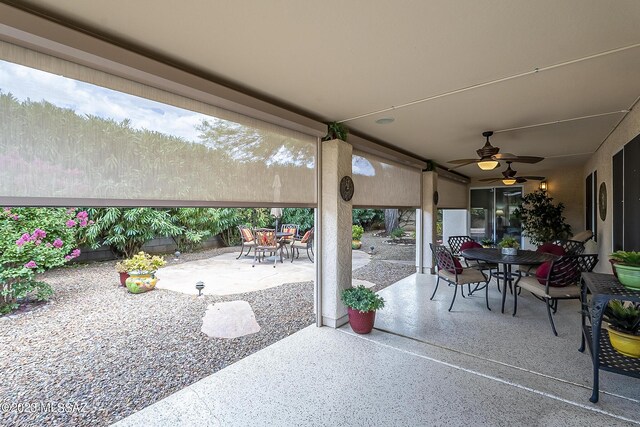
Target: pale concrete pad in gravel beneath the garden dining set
(226, 275)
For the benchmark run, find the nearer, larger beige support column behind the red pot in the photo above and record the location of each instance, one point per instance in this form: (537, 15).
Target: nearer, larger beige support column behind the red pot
(336, 232)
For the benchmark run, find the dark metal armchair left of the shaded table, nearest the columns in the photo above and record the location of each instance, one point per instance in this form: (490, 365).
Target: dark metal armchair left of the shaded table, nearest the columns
(451, 271)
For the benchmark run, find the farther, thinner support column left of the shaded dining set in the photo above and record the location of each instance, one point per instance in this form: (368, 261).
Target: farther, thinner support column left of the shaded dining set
(428, 218)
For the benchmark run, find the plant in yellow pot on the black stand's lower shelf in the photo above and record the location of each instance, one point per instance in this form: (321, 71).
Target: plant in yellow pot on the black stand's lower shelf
(624, 326)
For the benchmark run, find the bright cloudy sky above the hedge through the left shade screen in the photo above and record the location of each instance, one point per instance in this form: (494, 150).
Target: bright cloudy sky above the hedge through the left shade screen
(84, 98)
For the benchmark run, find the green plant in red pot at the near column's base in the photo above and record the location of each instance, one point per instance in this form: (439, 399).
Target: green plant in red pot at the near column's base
(362, 304)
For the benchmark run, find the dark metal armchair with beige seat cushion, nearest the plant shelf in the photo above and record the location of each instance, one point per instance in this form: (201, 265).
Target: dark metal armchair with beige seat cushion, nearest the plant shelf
(556, 280)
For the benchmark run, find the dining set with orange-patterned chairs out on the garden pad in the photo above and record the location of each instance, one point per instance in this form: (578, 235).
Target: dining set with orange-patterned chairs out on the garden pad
(273, 243)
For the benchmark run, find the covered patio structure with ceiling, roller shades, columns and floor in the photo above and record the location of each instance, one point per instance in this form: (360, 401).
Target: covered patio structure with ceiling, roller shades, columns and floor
(245, 105)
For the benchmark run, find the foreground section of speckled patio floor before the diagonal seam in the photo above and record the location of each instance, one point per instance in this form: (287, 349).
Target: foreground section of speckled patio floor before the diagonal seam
(346, 380)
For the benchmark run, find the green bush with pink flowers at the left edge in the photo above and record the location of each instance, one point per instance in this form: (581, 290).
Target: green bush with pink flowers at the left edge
(33, 240)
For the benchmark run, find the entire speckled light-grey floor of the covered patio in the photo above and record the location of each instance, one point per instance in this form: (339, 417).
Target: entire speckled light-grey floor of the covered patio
(467, 367)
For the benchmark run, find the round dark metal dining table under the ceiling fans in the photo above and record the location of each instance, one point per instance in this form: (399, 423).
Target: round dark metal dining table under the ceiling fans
(495, 256)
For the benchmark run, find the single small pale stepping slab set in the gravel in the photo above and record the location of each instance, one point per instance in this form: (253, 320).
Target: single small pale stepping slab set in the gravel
(230, 319)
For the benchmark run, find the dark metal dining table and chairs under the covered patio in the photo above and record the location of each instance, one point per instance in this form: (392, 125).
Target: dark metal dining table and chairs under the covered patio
(551, 273)
